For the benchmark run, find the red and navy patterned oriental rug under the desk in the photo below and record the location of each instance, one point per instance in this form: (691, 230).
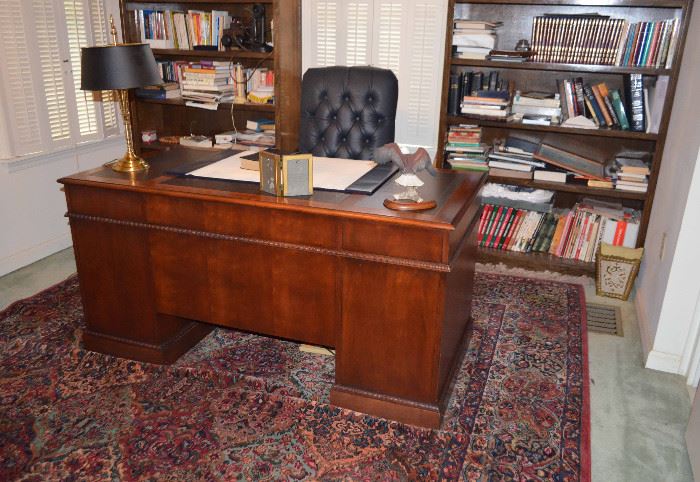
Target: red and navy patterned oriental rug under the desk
(245, 407)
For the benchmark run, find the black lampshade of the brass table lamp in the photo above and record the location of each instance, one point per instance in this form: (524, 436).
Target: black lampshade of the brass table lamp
(114, 67)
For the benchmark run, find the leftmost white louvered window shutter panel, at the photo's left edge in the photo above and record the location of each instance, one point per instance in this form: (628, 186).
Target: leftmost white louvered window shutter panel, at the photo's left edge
(20, 93)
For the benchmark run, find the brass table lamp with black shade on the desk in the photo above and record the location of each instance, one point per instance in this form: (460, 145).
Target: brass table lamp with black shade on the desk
(120, 67)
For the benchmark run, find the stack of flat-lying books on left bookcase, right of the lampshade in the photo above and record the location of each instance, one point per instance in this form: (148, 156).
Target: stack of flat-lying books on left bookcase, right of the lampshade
(206, 84)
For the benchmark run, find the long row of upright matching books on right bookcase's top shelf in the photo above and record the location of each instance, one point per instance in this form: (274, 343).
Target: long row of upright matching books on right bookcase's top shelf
(601, 40)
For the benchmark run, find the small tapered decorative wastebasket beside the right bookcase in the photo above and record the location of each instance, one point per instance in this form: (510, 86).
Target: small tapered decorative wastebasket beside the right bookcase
(616, 269)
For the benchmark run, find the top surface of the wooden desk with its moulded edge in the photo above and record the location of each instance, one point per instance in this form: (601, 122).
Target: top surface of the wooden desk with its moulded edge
(453, 191)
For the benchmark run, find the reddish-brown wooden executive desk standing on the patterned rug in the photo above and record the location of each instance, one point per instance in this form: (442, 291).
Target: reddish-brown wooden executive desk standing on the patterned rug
(158, 255)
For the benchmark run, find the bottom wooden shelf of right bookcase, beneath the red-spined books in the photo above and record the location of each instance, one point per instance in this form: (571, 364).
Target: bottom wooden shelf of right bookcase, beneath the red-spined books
(537, 261)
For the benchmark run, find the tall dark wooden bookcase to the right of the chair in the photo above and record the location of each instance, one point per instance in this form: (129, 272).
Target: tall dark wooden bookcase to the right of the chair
(517, 17)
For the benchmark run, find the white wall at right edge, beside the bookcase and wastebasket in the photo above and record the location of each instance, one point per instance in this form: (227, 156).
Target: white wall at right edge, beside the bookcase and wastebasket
(669, 285)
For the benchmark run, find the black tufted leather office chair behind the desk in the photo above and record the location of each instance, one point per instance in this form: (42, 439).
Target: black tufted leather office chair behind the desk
(347, 111)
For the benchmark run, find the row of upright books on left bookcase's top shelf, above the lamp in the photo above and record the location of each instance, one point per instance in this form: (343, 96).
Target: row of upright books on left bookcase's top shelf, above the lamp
(167, 29)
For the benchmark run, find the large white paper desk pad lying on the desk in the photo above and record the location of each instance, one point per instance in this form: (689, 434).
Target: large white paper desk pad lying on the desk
(329, 173)
